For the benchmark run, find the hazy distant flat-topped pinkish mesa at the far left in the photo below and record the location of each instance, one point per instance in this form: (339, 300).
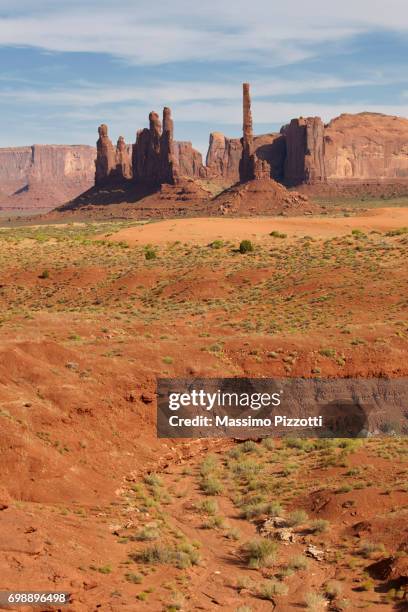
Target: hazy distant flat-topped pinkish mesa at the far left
(44, 175)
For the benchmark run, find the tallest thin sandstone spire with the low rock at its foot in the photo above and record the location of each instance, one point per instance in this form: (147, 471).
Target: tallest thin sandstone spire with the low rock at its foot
(251, 167)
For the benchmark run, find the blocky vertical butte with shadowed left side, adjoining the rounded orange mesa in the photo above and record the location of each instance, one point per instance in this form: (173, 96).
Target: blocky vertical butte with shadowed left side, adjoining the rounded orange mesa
(305, 151)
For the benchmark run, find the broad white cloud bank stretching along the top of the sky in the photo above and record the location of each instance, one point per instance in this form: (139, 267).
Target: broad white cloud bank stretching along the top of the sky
(142, 33)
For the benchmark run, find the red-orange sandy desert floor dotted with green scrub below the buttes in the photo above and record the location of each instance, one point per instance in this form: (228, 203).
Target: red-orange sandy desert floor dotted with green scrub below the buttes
(91, 502)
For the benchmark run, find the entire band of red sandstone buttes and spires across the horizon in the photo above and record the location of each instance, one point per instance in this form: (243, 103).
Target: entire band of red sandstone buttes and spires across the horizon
(351, 151)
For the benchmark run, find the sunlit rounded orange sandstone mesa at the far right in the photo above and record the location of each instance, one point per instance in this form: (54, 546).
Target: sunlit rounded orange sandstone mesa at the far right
(366, 146)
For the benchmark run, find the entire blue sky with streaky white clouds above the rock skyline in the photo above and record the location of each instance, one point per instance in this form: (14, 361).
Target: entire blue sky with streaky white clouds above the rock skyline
(67, 67)
